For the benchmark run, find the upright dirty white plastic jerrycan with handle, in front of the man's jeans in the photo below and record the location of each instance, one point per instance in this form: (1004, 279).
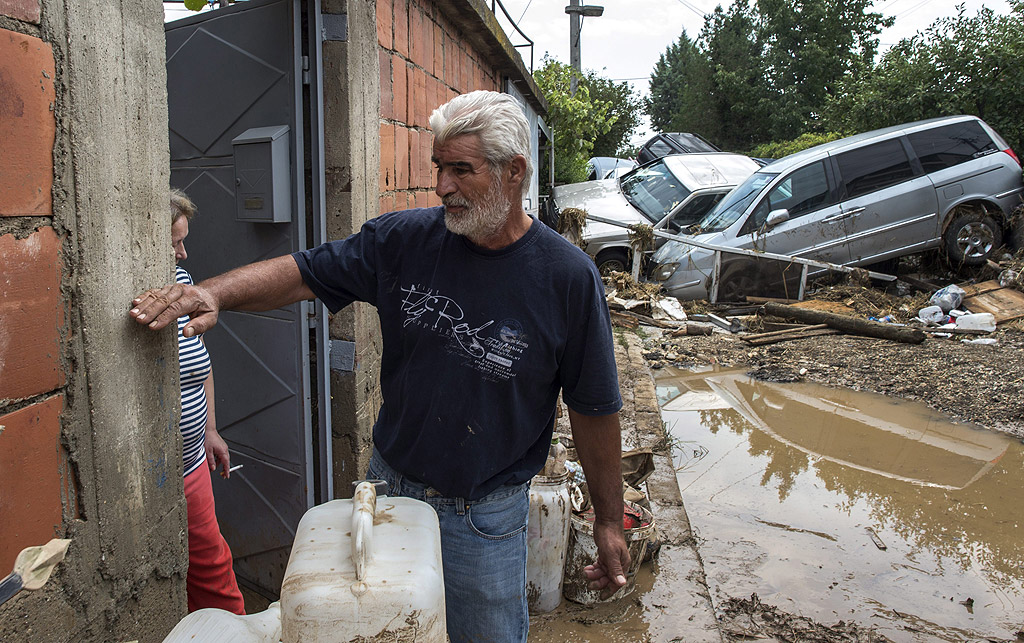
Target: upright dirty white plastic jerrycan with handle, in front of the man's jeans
(367, 569)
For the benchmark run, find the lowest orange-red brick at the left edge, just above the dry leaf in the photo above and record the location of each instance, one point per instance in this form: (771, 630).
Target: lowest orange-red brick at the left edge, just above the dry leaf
(31, 463)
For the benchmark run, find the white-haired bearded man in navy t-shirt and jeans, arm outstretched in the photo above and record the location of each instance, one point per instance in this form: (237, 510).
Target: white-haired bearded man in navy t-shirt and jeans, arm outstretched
(487, 315)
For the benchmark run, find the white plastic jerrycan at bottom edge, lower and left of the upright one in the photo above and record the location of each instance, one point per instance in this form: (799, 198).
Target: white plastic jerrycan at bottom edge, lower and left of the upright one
(217, 626)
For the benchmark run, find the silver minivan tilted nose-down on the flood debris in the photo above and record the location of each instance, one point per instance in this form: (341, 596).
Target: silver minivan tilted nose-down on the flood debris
(949, 183)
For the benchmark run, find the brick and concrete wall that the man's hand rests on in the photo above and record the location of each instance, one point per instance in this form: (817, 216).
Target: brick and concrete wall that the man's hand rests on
(90, 448)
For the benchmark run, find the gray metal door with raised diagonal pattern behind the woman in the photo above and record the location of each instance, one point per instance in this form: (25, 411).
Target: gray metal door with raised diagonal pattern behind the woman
(231, 71)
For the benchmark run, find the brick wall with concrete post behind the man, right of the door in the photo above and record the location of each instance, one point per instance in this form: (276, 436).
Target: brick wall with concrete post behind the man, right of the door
(403, 60)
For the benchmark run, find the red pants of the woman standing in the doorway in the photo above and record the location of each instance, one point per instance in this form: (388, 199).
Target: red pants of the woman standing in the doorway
(211, 581)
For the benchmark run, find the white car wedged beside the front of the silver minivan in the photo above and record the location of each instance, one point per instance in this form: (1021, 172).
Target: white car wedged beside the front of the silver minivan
(669, 194)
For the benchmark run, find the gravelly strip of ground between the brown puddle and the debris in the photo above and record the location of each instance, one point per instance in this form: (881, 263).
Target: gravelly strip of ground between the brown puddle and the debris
(984, 384)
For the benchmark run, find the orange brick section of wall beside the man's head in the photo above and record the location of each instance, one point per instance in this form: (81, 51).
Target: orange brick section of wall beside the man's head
(425, 61)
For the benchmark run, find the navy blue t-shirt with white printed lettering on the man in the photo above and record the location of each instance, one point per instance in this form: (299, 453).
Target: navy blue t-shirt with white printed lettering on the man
(478, 344)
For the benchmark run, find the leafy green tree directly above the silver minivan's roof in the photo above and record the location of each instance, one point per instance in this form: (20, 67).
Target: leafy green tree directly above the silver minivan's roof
(960, 65)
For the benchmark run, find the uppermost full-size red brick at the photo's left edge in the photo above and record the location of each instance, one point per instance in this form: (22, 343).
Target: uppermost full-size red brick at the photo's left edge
(27, 125)
